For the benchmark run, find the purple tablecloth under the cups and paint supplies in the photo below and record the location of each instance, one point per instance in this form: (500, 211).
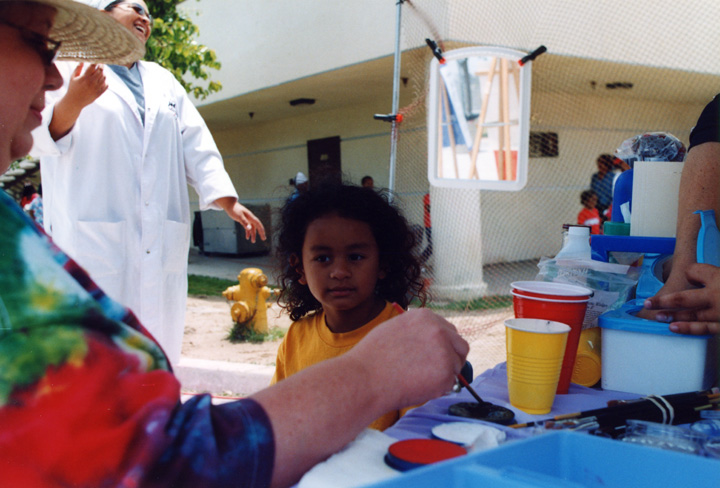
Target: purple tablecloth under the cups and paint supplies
(491, 385)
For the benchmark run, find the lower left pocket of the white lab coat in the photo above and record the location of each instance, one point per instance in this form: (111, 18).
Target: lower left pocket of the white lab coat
(101, 249)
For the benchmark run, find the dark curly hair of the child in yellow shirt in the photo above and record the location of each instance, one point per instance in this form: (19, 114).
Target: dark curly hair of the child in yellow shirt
(396, 243)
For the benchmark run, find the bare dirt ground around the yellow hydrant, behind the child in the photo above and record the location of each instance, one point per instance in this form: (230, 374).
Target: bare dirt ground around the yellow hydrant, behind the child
(208, 323)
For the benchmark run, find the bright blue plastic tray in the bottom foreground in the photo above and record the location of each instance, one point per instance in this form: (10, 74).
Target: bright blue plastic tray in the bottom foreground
(565, 459)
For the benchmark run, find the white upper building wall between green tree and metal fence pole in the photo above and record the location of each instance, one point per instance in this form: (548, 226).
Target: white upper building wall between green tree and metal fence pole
(262, 43)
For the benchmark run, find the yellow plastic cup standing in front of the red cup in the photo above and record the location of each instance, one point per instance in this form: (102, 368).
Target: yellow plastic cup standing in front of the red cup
(535, 351)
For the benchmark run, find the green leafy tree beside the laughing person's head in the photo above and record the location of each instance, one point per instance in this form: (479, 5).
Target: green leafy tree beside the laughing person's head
(173, 45)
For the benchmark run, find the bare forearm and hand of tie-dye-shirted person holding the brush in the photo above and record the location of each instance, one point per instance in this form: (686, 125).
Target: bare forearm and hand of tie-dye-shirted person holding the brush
(406, 361)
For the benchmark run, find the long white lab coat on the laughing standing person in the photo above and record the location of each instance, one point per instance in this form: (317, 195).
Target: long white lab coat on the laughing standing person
(116, 196)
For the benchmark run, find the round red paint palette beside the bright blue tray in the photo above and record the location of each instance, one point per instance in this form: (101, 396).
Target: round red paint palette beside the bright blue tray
(414, 453)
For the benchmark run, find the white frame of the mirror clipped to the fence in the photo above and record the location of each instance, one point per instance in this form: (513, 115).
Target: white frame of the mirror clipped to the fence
(523, 121)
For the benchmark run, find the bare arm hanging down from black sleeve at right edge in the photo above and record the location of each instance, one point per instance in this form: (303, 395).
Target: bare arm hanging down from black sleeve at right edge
(699, 190)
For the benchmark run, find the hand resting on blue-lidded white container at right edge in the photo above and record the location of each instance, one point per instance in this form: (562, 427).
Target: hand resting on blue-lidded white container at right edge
(691, 311)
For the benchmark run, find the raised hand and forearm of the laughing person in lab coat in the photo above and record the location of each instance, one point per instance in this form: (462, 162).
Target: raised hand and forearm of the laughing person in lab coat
(84, 87)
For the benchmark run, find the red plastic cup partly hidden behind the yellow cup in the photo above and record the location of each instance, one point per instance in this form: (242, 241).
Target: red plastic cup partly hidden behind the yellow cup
(570, 311)
